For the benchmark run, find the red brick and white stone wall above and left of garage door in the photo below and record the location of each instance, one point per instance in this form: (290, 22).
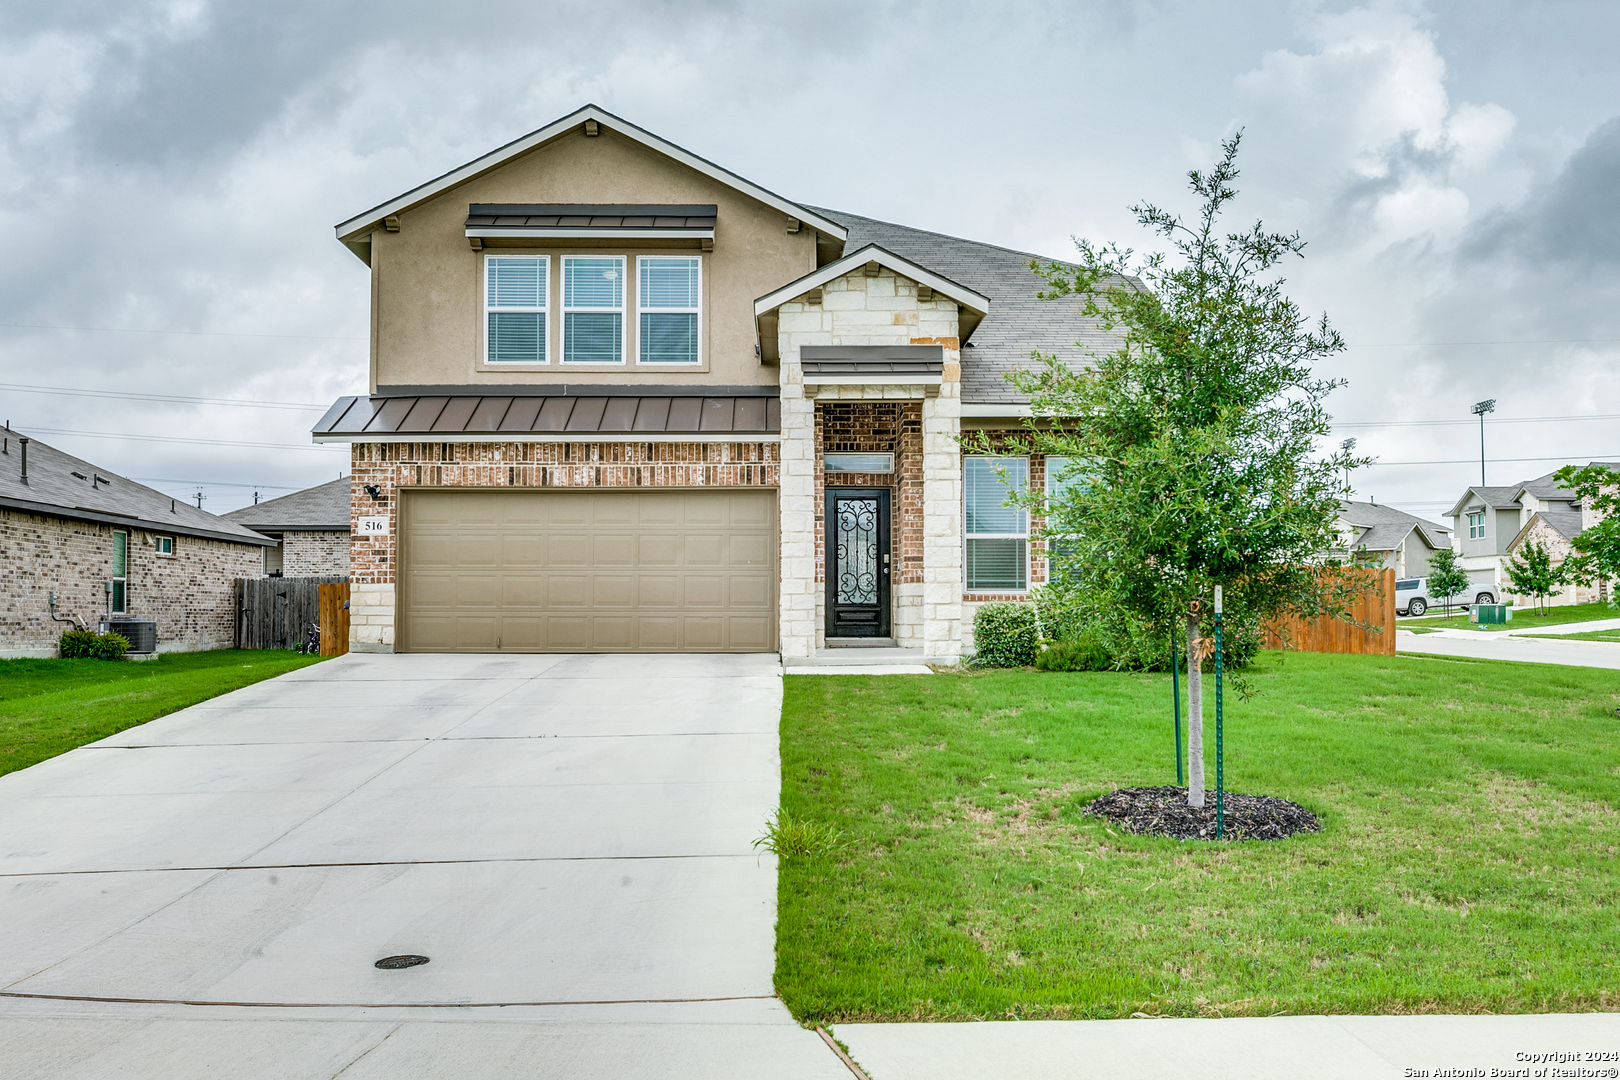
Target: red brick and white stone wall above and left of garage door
(532, 466)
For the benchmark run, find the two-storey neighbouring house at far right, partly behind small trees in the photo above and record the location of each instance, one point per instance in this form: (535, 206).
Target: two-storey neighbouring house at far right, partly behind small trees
(1494, 524)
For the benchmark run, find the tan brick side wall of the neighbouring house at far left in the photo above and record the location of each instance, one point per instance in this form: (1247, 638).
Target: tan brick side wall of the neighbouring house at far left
(189, 595)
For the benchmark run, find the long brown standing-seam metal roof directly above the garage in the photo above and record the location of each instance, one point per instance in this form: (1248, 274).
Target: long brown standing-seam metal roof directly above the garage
(550, 419)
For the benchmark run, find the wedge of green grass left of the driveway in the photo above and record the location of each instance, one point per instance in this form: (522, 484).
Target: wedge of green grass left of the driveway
(53, 707)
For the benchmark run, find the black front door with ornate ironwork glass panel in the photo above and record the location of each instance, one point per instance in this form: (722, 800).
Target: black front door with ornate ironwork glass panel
(858, 563)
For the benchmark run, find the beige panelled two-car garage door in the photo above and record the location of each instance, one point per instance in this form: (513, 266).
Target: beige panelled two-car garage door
(589, 572)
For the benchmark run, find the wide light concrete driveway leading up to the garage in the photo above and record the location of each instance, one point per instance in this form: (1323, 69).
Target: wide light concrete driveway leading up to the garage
(566, 838)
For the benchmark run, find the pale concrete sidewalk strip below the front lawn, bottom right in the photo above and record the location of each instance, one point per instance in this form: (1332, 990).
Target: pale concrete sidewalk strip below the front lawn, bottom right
(1269, 1048)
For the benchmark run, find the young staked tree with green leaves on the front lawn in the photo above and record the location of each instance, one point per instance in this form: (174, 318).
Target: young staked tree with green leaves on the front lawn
(1193, 443)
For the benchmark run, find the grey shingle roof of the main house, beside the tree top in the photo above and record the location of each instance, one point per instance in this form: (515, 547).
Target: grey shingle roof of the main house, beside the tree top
(1017, 325)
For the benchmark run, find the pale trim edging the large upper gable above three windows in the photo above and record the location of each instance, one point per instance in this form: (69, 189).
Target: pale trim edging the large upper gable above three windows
(352, 231)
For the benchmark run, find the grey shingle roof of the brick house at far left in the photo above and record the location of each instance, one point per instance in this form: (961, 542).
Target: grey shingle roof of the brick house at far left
(61, 485)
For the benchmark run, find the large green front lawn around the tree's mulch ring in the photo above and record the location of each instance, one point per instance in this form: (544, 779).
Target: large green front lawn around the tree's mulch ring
(1469, 862)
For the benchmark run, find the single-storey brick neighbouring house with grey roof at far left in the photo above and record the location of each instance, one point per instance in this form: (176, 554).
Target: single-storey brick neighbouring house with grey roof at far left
(108, 546)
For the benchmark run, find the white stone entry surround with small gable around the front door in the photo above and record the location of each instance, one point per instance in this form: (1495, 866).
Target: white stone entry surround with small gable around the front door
(882, 308)
